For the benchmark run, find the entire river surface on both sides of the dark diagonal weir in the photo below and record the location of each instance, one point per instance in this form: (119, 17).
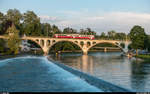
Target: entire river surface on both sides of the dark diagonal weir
(36, 73)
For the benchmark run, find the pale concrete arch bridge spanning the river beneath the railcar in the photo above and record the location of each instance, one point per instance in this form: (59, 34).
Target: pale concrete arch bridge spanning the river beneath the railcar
(84, 44)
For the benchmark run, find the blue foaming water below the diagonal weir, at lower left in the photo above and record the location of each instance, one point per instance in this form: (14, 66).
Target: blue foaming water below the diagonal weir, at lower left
(37, 74)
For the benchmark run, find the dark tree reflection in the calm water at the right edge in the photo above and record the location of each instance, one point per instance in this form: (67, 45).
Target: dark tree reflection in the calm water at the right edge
(140, 75)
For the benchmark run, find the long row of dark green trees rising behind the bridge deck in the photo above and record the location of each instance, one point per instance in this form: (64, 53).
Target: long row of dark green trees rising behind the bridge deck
(29, 23)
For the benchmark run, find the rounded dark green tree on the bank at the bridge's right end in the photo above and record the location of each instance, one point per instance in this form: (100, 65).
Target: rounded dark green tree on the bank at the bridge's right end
(137, 36)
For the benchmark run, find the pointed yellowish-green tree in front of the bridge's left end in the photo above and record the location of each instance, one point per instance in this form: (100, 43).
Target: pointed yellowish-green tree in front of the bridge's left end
(13, 41)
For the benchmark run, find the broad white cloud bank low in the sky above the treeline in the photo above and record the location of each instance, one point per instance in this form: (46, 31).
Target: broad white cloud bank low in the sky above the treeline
(119, 21)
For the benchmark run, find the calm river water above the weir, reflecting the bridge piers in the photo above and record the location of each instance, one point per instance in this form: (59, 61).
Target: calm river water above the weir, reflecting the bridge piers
(111, 67)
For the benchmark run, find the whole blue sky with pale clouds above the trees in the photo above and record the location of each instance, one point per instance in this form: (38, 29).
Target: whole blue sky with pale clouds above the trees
(99, 15)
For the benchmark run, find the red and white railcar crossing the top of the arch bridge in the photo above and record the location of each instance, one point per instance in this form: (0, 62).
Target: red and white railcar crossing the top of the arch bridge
(74, 36)
